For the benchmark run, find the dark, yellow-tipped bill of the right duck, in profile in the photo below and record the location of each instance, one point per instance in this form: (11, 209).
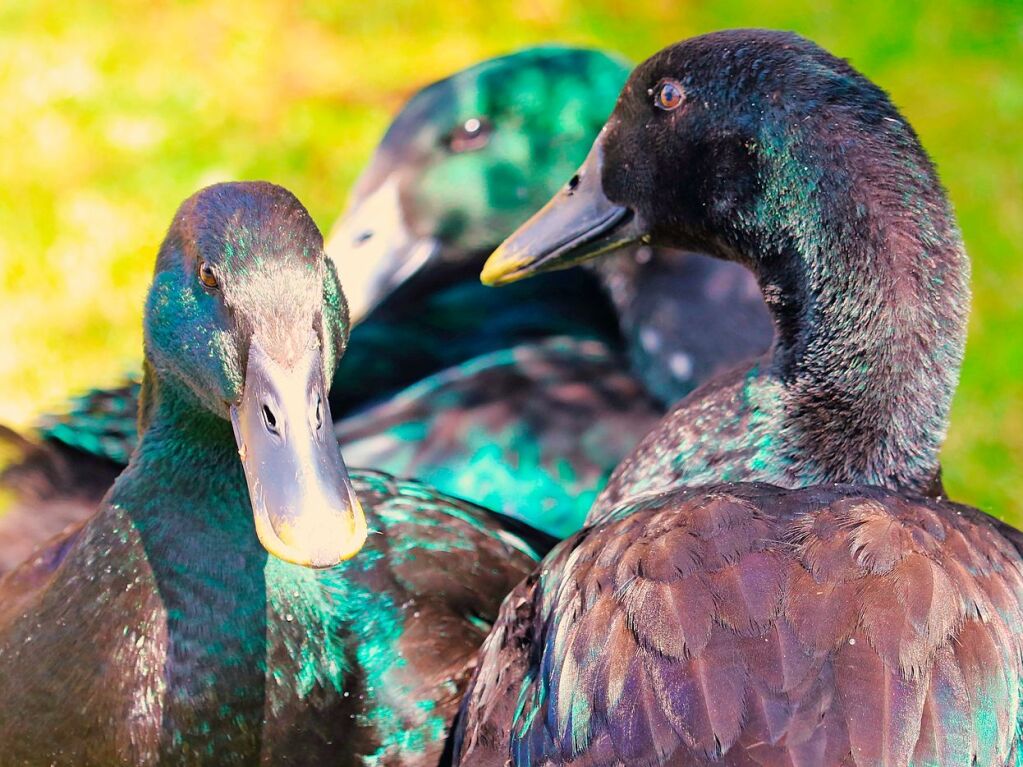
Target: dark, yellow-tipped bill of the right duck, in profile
(579, 224)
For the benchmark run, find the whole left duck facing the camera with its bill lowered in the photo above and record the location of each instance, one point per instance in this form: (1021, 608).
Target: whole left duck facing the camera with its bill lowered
(213, 610)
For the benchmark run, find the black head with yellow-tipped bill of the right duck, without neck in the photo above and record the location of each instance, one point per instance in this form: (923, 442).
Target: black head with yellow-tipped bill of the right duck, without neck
(718, 145)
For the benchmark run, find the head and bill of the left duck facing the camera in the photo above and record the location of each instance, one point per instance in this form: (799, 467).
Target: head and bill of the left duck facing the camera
(246, 319)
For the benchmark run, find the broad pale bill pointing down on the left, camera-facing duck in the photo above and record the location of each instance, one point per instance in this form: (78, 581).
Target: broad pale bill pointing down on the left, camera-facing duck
(302, 499)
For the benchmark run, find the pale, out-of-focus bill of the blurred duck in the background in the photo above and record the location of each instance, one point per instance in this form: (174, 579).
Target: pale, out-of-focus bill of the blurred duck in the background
(373, 246)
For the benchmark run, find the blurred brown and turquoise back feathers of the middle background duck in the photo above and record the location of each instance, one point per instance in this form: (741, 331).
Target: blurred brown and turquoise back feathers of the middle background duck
(480, 422)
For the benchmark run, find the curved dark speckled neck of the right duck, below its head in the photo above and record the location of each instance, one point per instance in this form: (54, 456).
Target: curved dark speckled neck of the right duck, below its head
(863, 267)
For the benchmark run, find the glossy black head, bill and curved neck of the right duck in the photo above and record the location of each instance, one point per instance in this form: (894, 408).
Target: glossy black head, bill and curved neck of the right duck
(763, 149)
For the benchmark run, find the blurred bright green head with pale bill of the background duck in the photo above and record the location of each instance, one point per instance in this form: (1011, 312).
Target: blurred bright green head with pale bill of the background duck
(467, 161)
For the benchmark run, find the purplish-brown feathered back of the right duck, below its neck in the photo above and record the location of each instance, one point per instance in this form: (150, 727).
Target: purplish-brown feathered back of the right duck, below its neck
(747, 624)
